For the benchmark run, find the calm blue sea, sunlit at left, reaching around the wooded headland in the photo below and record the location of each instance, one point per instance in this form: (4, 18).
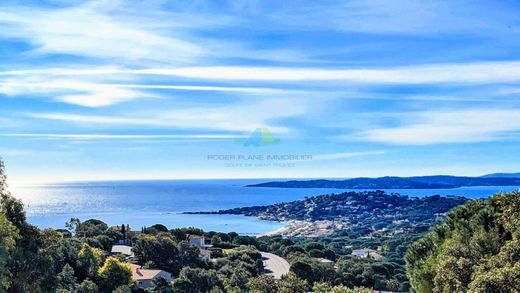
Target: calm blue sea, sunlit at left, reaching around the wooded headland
(144, 203)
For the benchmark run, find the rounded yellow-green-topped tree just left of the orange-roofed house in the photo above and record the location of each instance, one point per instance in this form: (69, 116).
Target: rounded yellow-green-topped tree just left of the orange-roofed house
(115, 273)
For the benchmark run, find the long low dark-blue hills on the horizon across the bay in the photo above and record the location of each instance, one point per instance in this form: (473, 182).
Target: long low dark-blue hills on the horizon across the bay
(417, 182)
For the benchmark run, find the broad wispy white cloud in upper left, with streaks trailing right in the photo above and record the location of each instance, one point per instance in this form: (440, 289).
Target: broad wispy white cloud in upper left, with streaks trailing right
(132, 33)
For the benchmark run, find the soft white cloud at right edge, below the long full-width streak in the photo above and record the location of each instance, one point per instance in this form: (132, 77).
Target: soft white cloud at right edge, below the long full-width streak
(463, 126)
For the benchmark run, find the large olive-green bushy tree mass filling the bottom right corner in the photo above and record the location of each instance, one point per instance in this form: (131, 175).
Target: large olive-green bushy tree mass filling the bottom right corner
(477, 249)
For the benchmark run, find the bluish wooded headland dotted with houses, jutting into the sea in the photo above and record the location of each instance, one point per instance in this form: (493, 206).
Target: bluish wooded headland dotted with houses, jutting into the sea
(360, 213)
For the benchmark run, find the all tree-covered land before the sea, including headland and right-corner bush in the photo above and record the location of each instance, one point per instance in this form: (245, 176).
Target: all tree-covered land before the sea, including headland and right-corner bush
(476, 249)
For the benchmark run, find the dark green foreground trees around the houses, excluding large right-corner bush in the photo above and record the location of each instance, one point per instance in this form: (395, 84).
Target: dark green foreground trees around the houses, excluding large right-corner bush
(77, 259)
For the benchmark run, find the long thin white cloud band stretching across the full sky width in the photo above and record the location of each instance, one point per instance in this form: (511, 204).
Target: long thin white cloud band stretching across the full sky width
(476, 72)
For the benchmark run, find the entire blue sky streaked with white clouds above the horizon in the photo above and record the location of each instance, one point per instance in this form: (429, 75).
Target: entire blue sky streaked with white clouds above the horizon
(104, 90)
